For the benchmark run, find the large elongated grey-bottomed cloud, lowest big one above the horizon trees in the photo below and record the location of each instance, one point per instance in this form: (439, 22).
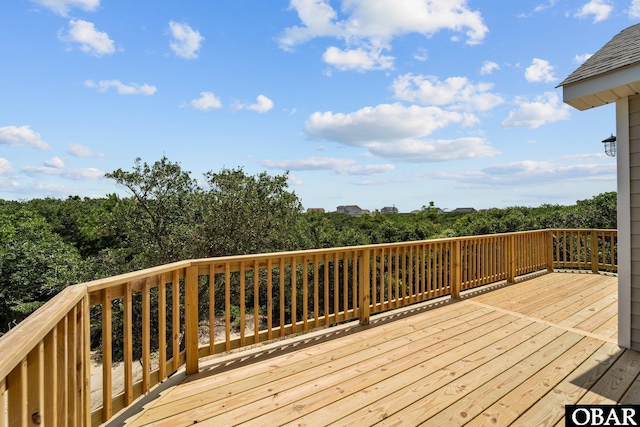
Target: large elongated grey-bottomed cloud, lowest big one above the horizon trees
(398, 132)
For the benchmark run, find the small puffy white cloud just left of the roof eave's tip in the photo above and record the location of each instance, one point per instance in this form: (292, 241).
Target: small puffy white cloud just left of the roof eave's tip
(544, 109)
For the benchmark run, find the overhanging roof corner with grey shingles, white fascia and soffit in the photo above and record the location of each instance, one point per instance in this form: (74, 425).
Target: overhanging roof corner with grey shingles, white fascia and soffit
(611, 73)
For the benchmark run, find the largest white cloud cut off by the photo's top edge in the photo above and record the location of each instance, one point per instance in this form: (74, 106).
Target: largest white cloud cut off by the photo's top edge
(369, 26)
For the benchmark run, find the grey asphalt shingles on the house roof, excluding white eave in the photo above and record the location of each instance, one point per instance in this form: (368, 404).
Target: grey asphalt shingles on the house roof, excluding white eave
(623, 50)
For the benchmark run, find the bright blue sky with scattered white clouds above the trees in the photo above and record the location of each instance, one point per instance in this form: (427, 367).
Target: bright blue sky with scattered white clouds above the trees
(368, 102)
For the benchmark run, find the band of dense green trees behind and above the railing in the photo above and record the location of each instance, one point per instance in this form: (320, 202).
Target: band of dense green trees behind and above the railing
(48, 243)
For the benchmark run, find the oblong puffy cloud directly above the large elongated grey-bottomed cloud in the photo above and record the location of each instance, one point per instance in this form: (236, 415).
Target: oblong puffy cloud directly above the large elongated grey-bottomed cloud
(458, 92)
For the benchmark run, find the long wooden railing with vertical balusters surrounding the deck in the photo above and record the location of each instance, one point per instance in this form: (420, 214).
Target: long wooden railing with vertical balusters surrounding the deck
(142, 327)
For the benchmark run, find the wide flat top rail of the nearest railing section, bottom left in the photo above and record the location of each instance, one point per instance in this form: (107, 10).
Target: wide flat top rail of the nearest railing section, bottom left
(19, 341)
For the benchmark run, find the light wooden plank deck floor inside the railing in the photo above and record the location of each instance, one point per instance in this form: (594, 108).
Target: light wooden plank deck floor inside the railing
(514, 355)
